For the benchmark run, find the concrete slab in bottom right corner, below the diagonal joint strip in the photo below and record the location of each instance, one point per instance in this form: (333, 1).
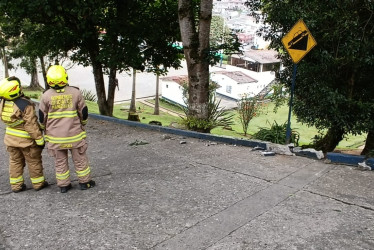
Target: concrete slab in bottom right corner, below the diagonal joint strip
(305, 221)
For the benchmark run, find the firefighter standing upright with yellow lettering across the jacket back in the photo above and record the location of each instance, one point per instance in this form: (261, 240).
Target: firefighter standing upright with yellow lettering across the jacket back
(63, 114)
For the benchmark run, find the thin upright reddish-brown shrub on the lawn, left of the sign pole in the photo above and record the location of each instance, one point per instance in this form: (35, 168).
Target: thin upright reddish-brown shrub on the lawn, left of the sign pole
(248, 107)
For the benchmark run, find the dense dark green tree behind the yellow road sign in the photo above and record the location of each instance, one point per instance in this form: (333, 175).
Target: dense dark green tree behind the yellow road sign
(334, 88)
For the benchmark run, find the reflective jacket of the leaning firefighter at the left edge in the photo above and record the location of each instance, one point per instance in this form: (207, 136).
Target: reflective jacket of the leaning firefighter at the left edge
(22, 123)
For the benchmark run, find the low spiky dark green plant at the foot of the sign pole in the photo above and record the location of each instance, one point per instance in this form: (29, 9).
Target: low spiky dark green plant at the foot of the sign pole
(277, 134)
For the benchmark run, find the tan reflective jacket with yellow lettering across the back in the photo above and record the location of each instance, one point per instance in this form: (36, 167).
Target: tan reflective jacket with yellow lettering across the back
(63, 114)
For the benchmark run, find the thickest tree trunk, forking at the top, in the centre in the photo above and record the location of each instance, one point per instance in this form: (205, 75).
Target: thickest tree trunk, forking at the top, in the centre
(196, 49)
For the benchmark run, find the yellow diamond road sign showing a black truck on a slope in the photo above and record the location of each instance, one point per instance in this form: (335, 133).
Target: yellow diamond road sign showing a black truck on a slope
(298, 41)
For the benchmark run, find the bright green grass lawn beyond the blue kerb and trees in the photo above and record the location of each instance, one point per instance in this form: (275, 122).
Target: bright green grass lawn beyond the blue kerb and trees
(265, 119)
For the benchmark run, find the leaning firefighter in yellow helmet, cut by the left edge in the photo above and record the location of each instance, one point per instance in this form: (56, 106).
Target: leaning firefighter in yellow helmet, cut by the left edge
(23, 137)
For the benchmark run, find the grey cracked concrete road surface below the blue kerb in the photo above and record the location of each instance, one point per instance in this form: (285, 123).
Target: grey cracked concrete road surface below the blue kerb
(164, 194)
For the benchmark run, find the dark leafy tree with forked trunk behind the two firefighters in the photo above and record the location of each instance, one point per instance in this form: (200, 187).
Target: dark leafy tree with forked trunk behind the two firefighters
(110, 35)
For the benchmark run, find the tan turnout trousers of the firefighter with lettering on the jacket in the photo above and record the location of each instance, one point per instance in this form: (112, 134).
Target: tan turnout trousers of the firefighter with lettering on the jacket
(80, 161)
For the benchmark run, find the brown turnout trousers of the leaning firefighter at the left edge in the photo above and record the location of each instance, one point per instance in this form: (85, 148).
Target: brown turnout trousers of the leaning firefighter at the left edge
(18, 158)
